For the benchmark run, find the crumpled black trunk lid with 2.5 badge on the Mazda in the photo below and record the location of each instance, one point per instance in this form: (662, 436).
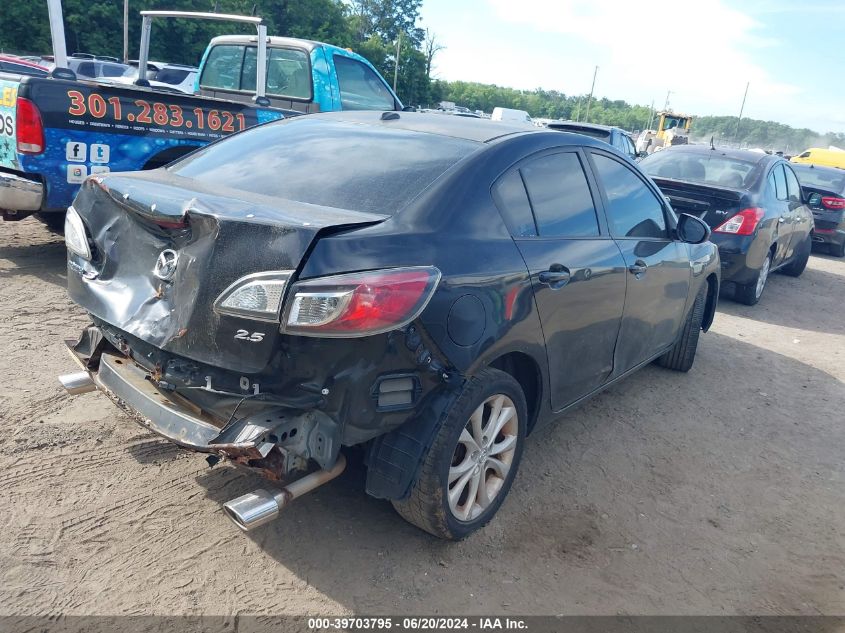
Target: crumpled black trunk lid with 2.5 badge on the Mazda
(219, 235)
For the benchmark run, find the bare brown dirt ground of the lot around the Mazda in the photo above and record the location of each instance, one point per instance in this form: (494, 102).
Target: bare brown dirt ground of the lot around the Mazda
(717, 492)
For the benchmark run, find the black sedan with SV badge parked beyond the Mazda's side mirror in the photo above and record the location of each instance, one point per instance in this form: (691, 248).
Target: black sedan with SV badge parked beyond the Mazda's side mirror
(753, 203)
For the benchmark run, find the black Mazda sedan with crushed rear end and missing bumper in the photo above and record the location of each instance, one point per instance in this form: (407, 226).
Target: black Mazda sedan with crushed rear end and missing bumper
(430, 288)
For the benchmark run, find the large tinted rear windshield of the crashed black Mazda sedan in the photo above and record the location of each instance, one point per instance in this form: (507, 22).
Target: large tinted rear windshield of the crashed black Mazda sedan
(329, 163)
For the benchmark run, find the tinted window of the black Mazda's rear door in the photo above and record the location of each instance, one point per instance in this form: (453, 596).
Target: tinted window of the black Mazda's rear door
(560, 196)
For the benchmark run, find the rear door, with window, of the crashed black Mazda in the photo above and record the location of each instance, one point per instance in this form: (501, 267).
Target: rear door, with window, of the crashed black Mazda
(577, 271)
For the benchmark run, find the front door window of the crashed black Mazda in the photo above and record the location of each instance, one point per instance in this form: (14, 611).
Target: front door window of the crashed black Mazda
(632, 209)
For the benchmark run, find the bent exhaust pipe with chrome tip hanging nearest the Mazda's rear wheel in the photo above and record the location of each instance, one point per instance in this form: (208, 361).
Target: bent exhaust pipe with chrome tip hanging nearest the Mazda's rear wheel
(262, 506)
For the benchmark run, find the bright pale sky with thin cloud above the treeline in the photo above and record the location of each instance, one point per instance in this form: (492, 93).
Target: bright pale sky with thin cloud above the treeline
(791, 51)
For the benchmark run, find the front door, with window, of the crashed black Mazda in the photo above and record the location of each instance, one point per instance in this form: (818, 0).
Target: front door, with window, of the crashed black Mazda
(658, 268)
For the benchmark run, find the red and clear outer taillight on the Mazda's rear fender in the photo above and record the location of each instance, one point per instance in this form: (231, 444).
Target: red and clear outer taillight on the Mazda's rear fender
(359, 304)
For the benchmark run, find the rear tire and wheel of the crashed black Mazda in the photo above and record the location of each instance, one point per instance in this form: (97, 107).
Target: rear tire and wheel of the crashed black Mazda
(469, 468)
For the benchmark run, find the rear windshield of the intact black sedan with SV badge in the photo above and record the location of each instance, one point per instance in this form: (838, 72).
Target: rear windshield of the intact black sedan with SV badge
(709, 169)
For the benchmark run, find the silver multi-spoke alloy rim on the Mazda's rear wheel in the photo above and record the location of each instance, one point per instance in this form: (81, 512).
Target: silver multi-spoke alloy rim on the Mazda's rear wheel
(483, 457)
